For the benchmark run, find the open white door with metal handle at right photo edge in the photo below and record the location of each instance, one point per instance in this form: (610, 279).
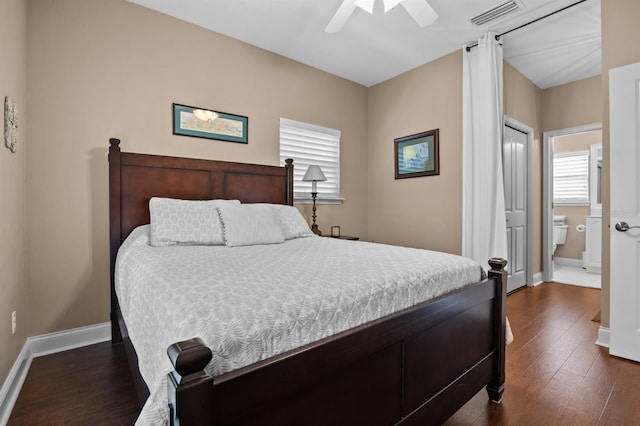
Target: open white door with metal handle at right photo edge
(624, 97)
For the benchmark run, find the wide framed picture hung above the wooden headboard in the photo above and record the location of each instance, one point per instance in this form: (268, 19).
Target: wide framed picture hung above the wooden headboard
(204, 123)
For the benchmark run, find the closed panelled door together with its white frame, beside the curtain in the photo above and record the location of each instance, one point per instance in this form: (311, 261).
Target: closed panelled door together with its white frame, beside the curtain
(517, 145)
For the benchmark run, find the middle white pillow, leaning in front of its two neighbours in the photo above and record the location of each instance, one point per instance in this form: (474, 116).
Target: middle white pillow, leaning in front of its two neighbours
(249, 224)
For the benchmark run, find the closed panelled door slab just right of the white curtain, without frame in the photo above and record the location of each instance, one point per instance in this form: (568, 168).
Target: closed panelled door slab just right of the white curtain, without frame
(514, 161)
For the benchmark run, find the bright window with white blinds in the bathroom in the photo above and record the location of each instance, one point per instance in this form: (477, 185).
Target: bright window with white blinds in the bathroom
(571, 178)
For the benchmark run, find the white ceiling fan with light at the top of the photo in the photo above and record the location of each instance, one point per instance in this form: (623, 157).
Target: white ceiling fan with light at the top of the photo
(420, 11)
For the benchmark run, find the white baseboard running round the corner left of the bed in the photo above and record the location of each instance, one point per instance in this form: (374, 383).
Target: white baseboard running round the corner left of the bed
(44, 345)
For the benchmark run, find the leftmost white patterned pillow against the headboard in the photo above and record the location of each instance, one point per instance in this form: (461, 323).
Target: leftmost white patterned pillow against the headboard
(185, 222)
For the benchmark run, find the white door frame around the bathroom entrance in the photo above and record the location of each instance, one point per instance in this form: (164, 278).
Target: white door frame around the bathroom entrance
(547, 192)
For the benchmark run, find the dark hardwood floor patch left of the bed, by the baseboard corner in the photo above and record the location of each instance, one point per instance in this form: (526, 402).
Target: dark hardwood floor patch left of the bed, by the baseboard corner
(85, 386)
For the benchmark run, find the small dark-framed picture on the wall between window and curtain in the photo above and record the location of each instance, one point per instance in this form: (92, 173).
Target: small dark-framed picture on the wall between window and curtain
(417, 155)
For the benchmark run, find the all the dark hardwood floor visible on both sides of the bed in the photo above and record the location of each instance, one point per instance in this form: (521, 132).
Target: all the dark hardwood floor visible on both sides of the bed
(556, 375)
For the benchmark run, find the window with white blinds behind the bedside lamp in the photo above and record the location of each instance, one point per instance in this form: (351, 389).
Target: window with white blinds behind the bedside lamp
(309, 144)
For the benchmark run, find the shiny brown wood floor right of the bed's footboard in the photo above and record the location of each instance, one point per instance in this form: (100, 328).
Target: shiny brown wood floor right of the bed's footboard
(555, 374)
